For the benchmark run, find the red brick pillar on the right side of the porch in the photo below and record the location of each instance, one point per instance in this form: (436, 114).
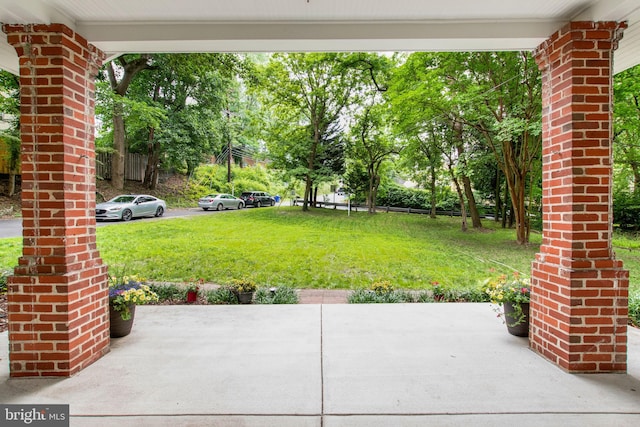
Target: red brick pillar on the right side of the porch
(579, 290)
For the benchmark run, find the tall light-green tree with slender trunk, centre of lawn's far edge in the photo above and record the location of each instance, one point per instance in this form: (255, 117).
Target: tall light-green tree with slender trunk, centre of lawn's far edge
(307, 93)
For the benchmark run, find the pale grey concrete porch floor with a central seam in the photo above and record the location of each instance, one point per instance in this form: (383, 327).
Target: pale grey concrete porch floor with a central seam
(329, 365)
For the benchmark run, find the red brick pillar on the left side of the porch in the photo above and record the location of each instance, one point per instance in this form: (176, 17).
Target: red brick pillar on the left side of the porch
(58, 296)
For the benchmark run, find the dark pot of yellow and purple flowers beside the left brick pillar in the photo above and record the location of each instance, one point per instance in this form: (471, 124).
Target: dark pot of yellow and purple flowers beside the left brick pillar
(125, 293)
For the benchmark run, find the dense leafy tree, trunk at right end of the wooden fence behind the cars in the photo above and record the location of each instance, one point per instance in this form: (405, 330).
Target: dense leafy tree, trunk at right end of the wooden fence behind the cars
(190, 90)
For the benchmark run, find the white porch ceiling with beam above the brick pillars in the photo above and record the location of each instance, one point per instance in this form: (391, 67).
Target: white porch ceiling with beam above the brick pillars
(120, 26)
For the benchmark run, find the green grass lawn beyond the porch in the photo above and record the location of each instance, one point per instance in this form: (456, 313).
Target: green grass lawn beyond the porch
(320, 249)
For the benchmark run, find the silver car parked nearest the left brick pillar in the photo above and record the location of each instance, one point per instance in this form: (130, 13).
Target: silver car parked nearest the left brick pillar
(127, 206)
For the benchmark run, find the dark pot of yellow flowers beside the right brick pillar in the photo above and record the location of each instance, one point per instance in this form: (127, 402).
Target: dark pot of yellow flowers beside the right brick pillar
(511, 295)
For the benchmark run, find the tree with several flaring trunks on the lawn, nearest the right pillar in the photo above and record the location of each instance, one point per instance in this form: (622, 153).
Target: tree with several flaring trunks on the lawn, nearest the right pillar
(499, 94)
